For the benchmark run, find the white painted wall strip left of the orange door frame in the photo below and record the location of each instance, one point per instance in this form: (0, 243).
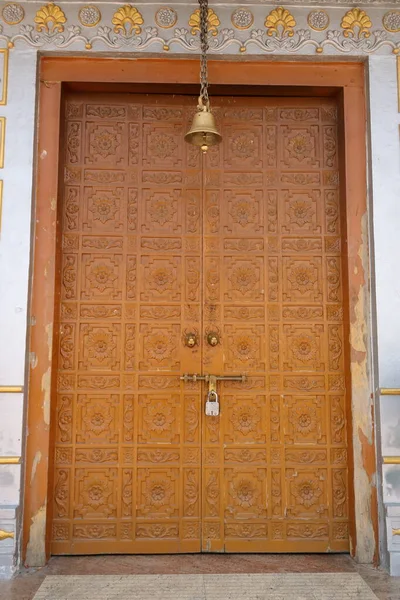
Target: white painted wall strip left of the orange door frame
(15, 242)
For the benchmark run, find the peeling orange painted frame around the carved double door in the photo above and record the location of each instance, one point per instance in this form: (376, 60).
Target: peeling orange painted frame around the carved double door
(346, 78)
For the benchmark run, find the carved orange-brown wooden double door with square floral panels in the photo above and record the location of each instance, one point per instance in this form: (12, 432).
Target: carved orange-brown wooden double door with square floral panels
(158, 243)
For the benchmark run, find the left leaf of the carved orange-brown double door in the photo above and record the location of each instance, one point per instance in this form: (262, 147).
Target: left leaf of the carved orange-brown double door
(127, 434)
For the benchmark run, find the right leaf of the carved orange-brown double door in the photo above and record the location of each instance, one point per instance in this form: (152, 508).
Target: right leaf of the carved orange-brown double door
(275, 473)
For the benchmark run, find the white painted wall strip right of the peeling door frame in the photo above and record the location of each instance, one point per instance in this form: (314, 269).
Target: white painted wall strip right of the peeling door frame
(385, 145)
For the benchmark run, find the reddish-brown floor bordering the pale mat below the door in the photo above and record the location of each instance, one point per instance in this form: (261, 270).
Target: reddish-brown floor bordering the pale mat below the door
(25, 585)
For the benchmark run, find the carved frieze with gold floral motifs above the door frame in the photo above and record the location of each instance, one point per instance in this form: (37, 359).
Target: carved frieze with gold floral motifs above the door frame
(280, 30)
